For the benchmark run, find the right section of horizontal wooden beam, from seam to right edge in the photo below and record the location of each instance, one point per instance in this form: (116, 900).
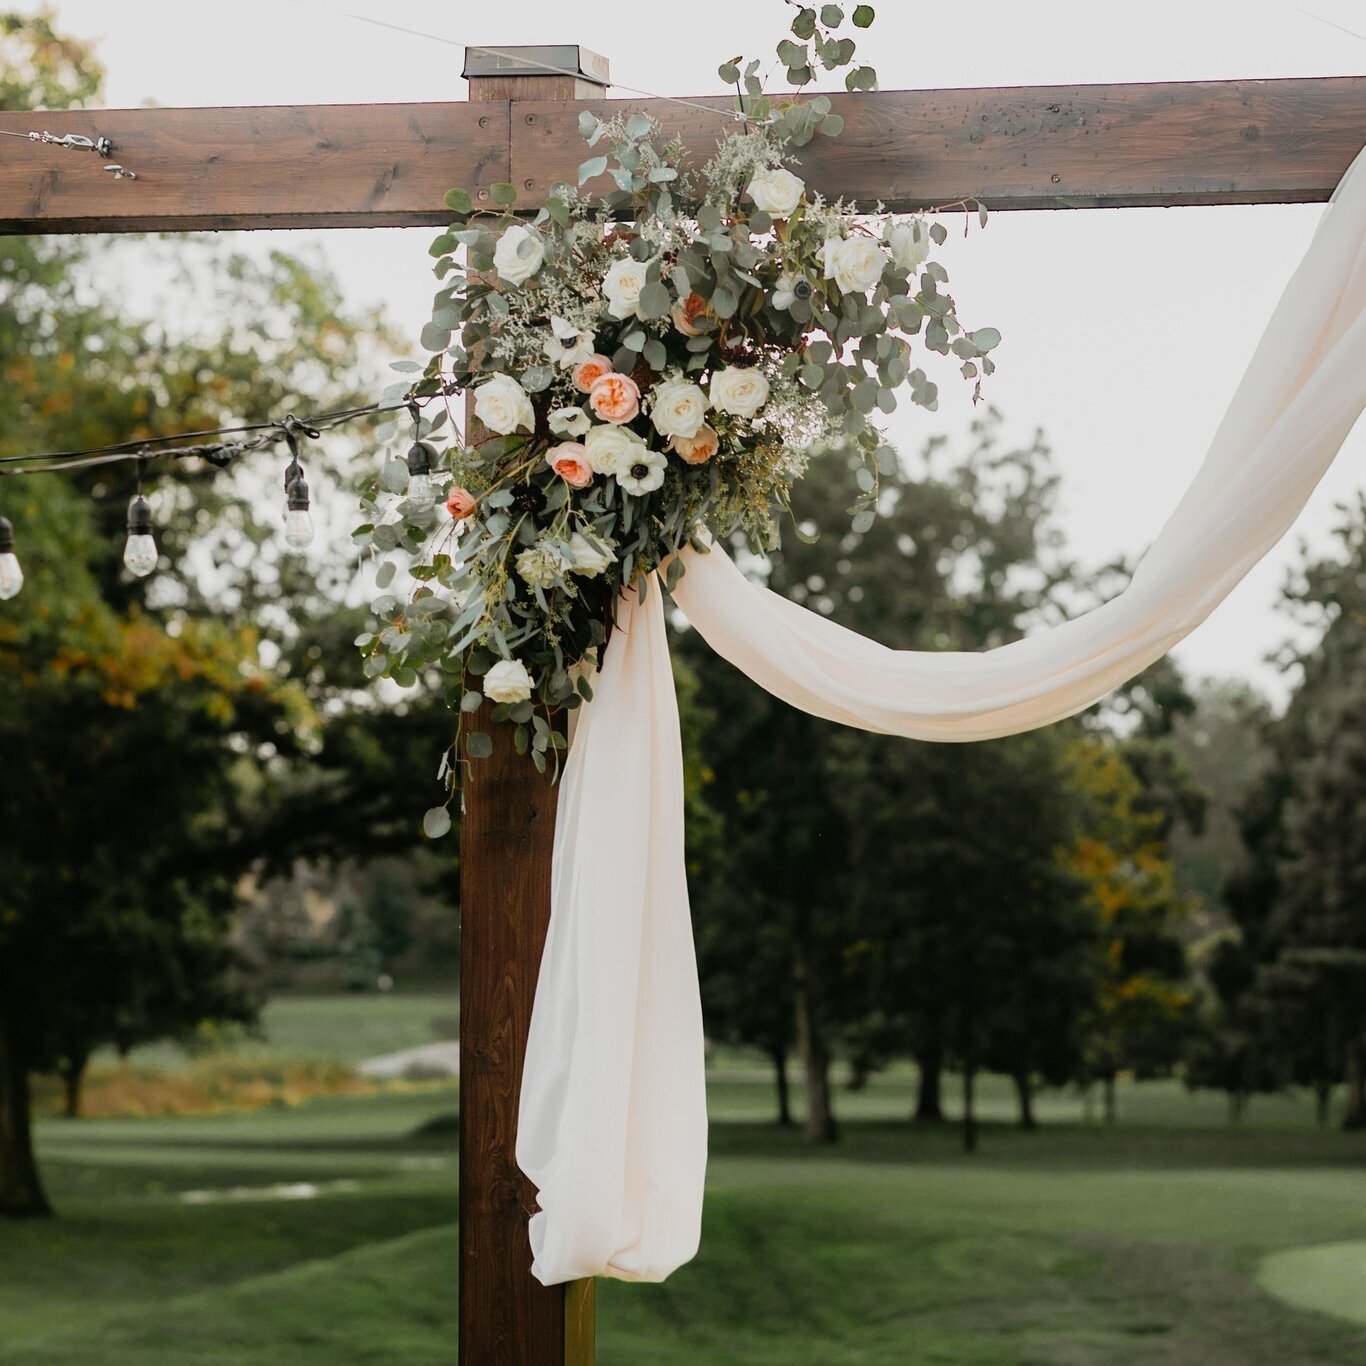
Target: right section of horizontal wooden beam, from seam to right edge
(1035, 148)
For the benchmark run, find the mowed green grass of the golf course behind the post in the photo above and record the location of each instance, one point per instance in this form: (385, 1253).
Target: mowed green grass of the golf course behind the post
(193, 1242)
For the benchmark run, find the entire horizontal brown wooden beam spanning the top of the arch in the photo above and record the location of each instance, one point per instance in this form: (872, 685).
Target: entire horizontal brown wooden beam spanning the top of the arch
(389, 166)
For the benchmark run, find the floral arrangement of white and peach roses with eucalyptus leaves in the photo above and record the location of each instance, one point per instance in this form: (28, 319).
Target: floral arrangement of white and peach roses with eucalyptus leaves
(645, 367)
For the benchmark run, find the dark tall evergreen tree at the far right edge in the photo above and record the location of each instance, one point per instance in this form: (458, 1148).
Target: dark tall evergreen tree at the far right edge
(1298, 894)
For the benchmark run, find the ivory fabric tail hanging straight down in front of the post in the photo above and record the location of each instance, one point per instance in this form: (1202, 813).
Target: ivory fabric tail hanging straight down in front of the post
(613, 1128)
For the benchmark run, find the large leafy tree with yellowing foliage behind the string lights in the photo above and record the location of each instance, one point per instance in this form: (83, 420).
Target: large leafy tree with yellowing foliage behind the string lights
(147, 734)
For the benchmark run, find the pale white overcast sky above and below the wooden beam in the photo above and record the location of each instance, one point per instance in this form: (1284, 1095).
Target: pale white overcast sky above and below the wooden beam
(1125, 331)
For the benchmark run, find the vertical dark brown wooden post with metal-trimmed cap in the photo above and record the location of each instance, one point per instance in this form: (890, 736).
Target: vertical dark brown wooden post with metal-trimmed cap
(507, 1319)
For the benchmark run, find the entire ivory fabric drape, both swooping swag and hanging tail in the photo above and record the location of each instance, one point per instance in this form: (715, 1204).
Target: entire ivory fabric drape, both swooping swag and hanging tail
(613, 1125)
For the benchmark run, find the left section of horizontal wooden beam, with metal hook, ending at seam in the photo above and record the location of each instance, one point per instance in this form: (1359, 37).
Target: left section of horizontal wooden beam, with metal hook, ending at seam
(378, 166)
